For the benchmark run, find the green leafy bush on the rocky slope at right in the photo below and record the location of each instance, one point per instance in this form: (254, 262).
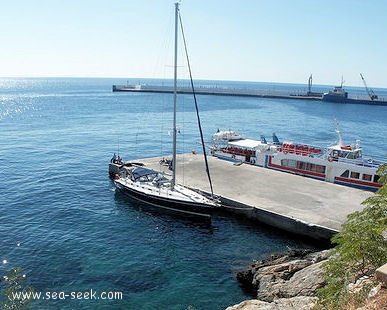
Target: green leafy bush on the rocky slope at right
(360, 248)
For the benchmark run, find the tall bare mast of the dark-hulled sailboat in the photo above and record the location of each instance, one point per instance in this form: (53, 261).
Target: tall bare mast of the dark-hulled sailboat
(175, 99)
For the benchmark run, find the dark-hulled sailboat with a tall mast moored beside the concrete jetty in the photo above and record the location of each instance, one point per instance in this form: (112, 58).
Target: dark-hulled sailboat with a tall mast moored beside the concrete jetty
(154, 187)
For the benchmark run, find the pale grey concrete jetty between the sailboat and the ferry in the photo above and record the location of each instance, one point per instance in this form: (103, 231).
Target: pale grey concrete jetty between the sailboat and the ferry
(294, 203)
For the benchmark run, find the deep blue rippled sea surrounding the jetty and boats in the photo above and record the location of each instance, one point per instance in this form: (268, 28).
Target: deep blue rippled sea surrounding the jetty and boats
(80, 242)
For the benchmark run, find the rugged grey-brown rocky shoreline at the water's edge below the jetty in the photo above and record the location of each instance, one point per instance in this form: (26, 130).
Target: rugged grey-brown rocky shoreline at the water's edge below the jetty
(283, 281)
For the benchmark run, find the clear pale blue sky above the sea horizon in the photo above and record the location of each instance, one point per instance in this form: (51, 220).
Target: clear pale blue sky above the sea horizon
(248, 40)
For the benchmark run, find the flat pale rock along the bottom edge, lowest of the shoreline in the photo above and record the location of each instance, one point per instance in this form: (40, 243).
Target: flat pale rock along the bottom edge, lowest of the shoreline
(295, 303)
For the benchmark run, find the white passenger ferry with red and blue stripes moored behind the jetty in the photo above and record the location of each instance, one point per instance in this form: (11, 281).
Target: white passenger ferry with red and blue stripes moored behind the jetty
(339, 163)
